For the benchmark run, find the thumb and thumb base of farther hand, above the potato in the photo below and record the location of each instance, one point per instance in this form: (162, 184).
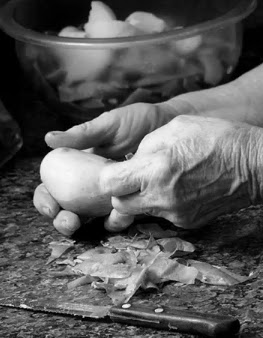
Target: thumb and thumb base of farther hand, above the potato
(116, 133)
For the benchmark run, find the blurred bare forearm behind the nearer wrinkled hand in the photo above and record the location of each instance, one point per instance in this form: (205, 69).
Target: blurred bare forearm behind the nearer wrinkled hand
(240, 100)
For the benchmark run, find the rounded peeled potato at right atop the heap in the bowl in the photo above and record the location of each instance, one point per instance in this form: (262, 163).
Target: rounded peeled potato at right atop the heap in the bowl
(147, 22)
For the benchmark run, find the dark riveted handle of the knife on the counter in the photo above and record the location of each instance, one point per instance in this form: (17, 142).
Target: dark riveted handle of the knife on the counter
(209, 325)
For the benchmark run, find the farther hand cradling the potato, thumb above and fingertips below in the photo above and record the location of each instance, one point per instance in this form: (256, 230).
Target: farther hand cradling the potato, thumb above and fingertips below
(112, 135)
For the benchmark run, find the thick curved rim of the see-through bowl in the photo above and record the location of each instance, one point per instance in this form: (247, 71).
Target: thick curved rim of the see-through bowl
(11, 27)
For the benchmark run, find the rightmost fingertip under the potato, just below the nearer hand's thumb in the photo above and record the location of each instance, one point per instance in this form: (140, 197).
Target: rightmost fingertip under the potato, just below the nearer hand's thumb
(117, 222)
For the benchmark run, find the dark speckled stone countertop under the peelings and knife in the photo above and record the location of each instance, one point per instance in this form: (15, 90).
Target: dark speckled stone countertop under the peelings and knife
(234, 241)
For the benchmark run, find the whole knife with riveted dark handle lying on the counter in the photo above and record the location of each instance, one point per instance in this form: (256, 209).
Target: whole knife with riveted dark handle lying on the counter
(159, 317)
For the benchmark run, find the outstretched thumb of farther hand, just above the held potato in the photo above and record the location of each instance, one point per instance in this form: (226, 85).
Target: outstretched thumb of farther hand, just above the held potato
(93, 133)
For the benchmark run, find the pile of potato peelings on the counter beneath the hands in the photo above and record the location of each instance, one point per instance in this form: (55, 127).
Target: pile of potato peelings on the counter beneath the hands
(123, 264)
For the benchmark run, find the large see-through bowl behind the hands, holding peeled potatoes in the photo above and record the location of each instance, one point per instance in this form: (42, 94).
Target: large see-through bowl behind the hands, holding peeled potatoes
(83, 77)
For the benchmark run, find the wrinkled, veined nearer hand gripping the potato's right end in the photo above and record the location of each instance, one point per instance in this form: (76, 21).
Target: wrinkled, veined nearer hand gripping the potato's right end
(189, 171)
